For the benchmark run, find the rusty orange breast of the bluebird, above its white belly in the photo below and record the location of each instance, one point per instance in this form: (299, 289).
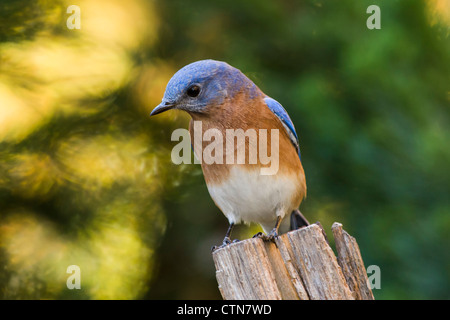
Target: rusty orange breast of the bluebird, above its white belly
(244, 113)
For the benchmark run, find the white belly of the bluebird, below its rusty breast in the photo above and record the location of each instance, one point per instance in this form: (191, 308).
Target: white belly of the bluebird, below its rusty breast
(251, 197)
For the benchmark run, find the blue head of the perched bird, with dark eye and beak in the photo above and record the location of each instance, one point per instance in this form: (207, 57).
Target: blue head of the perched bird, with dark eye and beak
(200, 85)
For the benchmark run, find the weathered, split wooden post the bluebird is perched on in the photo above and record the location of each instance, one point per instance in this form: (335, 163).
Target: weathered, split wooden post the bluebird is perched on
(299, 265)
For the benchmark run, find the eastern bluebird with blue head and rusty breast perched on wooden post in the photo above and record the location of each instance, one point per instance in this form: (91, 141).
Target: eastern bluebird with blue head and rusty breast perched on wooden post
(223, 98)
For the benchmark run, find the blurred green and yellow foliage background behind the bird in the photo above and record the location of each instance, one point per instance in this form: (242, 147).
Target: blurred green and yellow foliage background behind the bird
(86, 176)
